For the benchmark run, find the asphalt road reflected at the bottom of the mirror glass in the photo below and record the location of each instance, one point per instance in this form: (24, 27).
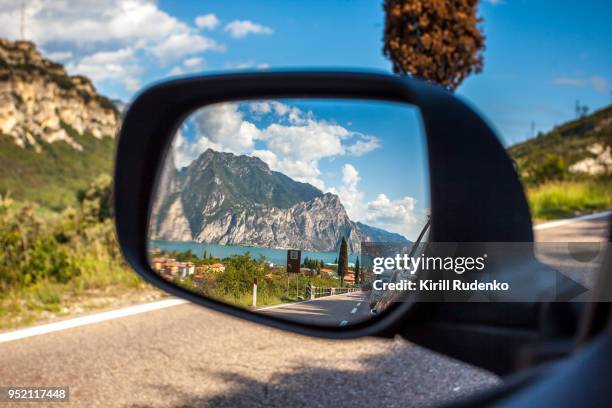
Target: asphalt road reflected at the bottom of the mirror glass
(338, 310)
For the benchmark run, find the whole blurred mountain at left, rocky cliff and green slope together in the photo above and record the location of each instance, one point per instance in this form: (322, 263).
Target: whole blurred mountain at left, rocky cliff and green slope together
(56, 131)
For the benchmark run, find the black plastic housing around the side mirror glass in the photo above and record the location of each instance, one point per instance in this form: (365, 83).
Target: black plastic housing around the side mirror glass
(476, 195)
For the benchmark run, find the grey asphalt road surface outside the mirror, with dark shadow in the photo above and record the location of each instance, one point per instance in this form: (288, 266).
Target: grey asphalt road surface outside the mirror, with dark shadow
(188, 356)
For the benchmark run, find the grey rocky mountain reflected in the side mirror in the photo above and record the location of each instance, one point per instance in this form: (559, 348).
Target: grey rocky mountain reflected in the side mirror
(237, 200)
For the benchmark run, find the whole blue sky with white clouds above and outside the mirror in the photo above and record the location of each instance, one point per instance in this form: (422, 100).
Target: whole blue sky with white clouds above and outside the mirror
(541, 56)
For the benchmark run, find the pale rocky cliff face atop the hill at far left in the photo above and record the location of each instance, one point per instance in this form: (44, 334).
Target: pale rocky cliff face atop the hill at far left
(38, 98)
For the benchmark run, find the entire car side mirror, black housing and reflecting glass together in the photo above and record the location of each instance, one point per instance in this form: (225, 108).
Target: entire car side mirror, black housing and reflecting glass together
(240, 192)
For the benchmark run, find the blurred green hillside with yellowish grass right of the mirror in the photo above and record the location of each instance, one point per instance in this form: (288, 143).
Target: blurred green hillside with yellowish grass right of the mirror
(548, 164)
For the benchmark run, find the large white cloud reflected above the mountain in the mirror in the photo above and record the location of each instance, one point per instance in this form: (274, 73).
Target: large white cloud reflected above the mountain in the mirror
(293, 144)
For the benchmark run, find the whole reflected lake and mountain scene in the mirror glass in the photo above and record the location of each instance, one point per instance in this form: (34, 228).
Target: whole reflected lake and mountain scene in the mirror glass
(272, 205)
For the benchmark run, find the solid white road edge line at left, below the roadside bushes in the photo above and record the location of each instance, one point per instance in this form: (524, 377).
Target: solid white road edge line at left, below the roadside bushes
(85, 320)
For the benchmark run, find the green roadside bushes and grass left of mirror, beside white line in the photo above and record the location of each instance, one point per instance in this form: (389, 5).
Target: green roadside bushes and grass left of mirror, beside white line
(59, 263)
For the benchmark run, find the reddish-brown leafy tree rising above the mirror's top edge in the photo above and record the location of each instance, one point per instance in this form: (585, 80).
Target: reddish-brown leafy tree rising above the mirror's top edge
(435, 40)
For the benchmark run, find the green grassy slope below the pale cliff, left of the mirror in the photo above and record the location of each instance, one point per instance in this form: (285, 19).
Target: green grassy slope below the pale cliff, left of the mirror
(53, 177)
